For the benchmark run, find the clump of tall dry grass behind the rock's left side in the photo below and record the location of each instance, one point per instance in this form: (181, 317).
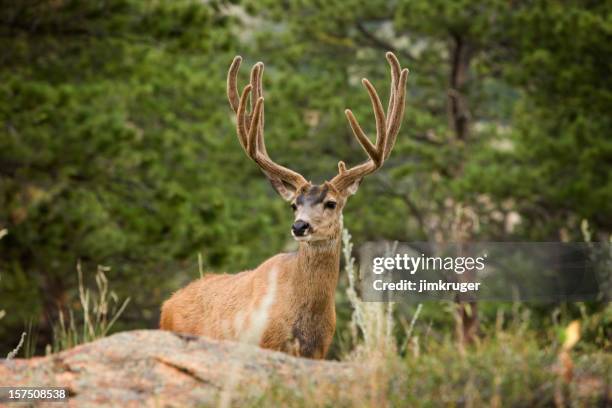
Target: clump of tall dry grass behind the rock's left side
(98, 312)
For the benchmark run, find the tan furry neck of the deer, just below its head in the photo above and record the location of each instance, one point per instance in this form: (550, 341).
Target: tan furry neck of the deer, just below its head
(316, 272)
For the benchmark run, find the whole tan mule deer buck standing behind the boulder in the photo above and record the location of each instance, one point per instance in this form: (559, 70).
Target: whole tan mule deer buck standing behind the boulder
(302, 318)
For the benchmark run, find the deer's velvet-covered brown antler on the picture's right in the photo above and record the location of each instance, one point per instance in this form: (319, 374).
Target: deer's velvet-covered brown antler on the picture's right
(387, 127)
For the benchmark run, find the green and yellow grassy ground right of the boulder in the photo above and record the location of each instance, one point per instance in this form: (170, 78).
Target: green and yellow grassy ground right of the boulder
(510, 369)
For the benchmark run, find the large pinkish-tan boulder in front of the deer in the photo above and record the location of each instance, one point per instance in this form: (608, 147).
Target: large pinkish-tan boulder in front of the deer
(157, 368)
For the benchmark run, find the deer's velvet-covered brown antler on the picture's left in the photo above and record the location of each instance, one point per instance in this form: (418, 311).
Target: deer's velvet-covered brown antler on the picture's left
(250, 125)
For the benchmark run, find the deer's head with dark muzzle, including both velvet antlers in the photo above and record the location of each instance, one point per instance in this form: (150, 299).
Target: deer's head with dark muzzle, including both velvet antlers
(317, 208)
